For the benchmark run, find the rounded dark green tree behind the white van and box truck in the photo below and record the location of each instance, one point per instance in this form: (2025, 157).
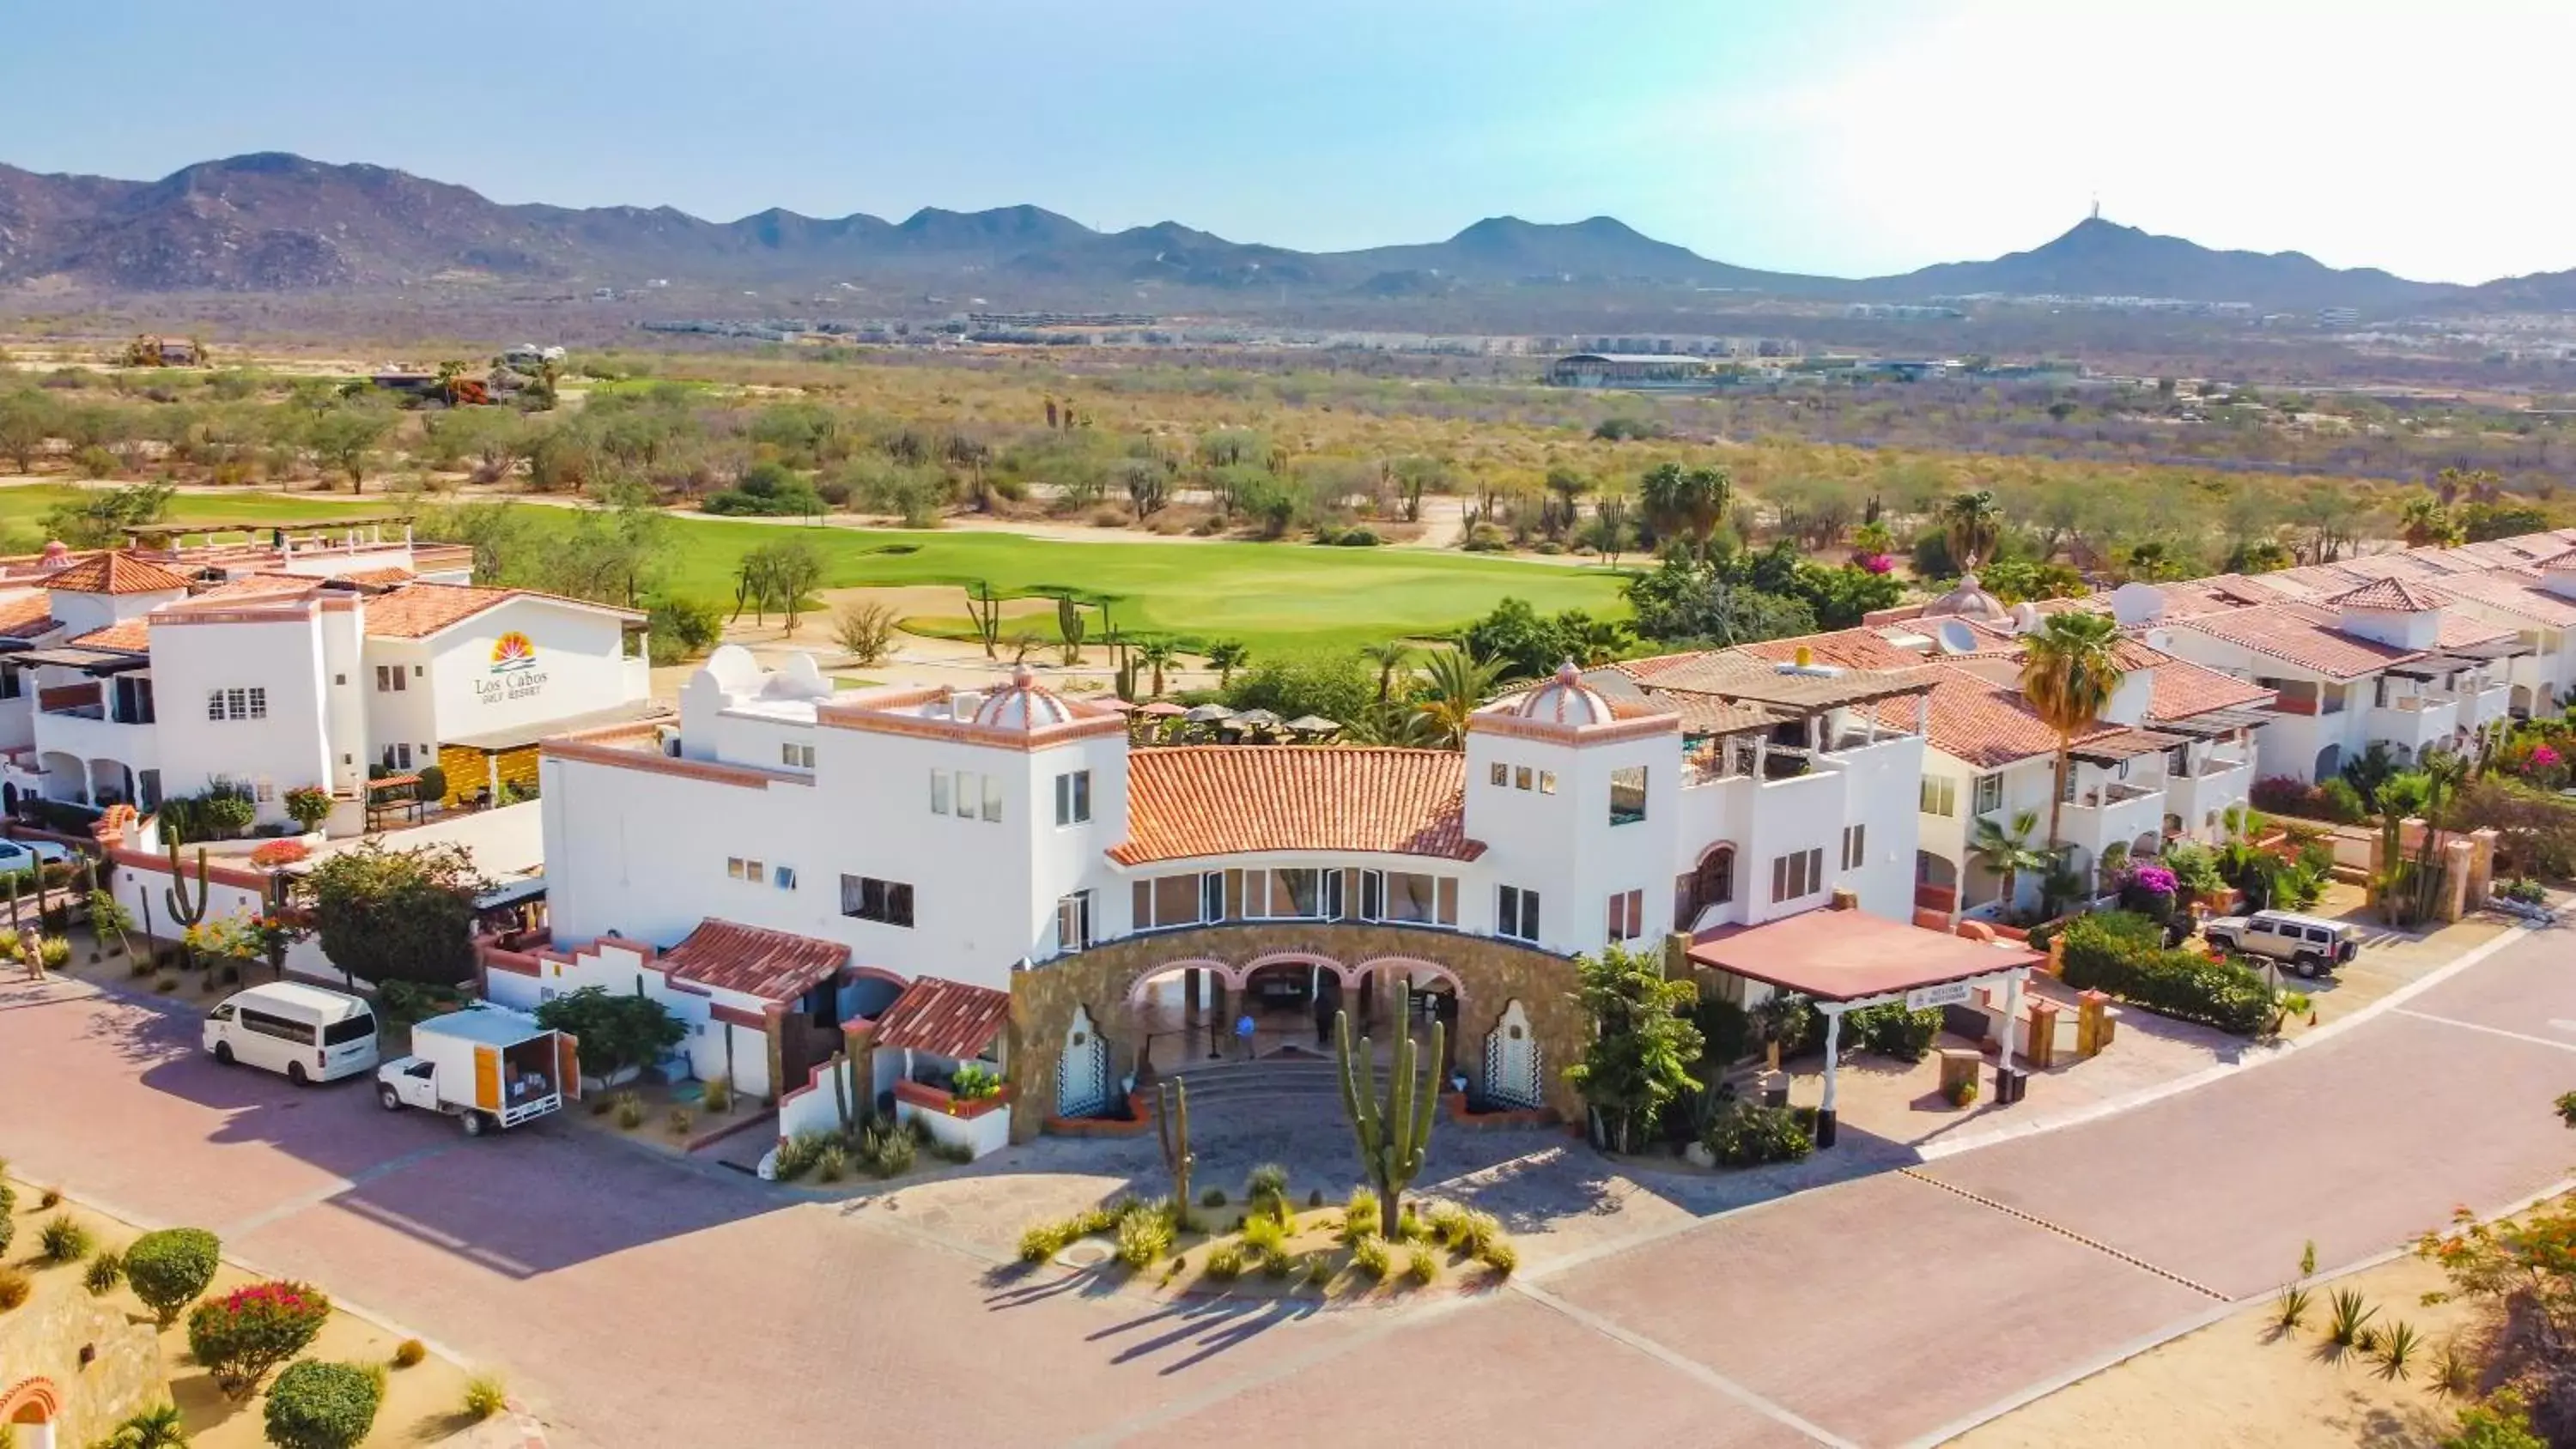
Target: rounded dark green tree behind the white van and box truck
(398, 915)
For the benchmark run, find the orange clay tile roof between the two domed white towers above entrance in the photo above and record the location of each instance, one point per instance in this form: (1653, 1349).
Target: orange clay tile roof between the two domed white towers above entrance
(1233, 799)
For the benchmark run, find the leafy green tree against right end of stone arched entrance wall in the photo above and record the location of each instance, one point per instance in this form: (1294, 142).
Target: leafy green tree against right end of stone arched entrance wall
(1642, 1044)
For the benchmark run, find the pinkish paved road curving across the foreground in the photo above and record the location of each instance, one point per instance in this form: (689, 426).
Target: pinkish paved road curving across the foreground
(640, 1304)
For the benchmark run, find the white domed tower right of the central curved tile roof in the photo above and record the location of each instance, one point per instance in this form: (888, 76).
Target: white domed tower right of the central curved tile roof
(1575, 791)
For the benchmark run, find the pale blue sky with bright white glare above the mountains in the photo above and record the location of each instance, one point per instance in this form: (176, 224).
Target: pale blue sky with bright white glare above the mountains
(1815, 135)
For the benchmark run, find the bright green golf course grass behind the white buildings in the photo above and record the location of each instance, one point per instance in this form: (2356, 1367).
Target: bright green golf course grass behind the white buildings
(1269, 596)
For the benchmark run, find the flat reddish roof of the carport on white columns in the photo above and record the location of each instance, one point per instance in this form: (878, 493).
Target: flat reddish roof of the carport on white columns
(1846, 956)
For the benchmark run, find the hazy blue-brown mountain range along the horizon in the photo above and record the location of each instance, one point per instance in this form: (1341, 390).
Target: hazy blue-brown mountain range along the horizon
(277, 223)
